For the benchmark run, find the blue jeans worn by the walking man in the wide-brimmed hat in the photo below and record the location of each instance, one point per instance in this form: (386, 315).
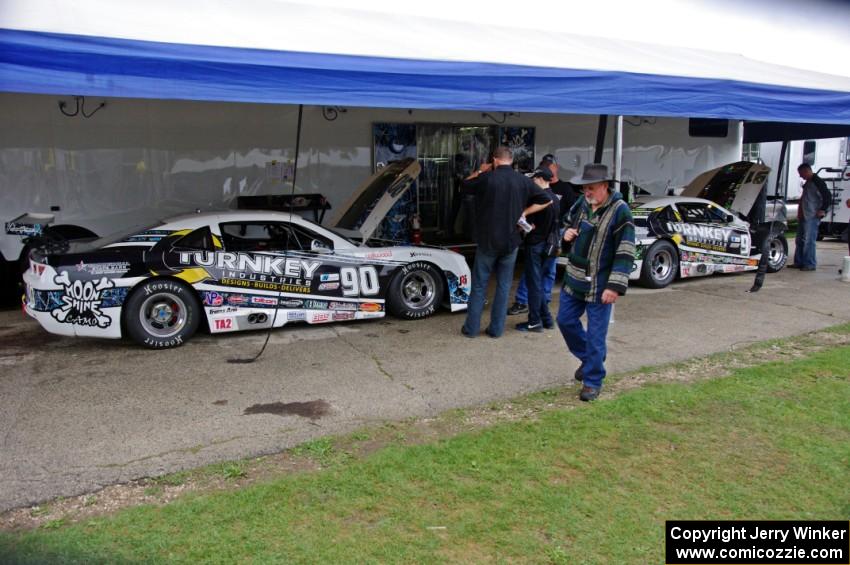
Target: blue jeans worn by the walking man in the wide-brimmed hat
(588, 346)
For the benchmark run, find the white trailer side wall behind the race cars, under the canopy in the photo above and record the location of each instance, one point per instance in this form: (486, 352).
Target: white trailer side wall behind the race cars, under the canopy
(135, 161)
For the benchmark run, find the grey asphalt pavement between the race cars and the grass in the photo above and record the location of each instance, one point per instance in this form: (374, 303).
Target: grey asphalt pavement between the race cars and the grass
(78, 414)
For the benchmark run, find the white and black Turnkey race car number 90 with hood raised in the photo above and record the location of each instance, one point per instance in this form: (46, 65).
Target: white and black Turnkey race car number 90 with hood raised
(241, 270)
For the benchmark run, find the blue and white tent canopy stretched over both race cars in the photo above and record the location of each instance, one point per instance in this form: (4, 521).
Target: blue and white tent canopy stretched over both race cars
(285, 52)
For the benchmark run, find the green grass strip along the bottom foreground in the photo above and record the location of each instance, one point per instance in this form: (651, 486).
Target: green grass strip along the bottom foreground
(588, 485)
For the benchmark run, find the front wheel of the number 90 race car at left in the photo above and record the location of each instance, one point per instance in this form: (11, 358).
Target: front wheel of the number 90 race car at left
(415, 291)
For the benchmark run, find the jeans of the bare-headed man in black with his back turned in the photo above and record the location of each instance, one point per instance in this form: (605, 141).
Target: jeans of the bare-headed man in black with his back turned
(485, 264)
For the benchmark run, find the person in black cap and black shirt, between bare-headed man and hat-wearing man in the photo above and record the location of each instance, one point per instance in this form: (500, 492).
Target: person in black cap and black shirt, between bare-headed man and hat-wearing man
(537, 259)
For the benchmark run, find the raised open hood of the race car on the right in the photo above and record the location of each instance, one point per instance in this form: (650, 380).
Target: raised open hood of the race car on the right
(735, 186)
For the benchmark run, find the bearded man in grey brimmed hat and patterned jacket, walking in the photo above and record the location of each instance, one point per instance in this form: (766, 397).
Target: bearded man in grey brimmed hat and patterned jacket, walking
(602, 236)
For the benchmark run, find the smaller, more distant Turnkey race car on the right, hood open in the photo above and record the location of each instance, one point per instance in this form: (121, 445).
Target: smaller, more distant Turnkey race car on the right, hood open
(704, 230)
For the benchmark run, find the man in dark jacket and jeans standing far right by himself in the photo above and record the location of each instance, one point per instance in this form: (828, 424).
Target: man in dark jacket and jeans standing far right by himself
(814, 203)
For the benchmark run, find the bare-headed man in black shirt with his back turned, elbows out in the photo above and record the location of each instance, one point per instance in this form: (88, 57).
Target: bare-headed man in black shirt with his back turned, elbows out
(502, 196)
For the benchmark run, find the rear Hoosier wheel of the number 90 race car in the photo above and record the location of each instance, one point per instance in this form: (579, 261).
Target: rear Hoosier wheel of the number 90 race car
(161, 314)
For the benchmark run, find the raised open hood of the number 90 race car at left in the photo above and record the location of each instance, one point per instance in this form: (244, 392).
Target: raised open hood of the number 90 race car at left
(372, 200)
